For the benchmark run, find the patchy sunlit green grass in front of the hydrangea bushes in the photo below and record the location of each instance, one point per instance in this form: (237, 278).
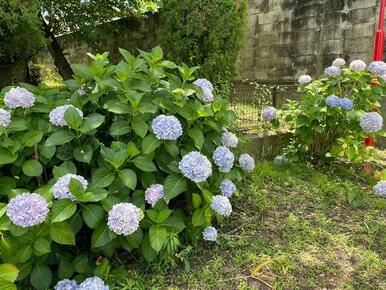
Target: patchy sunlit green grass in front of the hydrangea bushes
(291, 228)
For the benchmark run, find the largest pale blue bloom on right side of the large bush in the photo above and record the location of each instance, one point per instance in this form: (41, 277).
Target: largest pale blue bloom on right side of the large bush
(195, 166)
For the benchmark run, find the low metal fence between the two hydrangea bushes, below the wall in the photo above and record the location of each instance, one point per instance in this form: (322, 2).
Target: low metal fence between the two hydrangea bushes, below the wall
(248, 99)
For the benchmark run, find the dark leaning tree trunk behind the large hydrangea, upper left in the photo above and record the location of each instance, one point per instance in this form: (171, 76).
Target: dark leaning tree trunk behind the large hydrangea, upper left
(56, 51)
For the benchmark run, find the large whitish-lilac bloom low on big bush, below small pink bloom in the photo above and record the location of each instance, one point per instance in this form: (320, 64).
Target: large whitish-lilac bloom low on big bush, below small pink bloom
(124, 218)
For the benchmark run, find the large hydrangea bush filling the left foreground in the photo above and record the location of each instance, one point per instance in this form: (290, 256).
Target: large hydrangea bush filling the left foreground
(129, 157)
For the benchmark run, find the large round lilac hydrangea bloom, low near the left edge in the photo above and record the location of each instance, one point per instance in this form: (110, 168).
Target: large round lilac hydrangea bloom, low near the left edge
(27, 210)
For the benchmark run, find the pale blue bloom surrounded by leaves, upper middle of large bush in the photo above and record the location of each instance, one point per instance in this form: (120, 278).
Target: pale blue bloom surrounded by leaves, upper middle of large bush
(166, 127)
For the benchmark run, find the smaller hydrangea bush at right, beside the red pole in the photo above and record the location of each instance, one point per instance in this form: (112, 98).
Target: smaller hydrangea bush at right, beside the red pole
(335, 114)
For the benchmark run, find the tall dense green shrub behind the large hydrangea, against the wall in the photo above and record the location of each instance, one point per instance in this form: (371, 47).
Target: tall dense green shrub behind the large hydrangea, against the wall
(205, 33)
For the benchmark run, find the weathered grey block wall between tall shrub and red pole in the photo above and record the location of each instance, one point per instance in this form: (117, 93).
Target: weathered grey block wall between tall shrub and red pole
(287, 38)
